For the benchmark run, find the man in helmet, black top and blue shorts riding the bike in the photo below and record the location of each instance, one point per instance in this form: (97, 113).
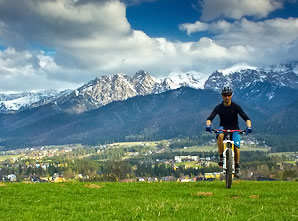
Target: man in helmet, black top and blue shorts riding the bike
(228, 113)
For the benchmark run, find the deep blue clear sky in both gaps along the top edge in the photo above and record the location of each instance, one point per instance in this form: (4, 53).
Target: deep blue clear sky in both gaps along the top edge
(162, 18)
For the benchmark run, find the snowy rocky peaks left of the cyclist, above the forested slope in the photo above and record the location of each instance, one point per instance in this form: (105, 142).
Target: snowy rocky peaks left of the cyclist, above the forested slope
(101, 91)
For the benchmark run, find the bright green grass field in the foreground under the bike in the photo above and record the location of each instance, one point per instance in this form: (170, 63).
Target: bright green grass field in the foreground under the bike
(247, 200)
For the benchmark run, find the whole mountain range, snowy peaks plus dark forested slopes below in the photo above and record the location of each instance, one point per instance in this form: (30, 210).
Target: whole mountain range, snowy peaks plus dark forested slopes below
(142, 107)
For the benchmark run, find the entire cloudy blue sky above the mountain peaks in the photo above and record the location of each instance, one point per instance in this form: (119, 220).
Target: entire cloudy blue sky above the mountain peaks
(61, 44)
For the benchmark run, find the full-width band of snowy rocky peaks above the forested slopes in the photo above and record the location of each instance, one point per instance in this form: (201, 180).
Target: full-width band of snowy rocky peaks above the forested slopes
(247, 81)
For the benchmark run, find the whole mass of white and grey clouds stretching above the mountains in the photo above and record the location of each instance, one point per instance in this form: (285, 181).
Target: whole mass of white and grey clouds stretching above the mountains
(91, 38)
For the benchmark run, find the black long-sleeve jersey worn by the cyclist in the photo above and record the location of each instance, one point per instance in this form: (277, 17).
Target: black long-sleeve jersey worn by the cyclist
(228, 115)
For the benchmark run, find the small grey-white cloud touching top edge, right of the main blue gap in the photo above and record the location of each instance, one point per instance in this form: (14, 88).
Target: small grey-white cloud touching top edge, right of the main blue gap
(236, 9)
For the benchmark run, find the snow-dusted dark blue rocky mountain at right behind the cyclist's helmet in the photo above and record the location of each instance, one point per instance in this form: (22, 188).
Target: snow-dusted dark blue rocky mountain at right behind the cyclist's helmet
(270, 89)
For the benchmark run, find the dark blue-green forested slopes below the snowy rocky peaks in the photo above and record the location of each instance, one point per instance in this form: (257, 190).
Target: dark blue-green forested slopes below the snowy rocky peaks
(176, 113)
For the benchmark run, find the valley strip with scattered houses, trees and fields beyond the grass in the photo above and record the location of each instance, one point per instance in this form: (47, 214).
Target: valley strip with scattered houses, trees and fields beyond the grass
(172, 160)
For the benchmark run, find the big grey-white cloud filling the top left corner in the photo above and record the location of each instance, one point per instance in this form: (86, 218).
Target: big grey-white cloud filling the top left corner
(61, 23)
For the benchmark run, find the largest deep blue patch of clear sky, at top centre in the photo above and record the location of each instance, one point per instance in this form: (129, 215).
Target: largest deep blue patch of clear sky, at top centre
(161, 18)
